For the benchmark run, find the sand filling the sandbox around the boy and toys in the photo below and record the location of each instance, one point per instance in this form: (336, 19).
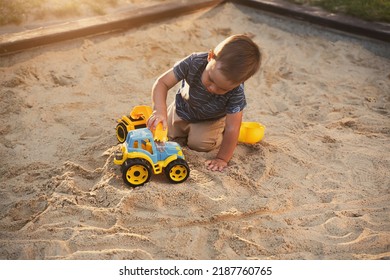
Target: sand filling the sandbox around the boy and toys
(316, 187)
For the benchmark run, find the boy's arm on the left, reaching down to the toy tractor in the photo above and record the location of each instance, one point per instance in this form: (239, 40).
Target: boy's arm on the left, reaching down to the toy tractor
(159, 99)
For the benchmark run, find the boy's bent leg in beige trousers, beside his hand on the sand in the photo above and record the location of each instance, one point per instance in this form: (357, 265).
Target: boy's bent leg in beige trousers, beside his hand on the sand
(206, 136)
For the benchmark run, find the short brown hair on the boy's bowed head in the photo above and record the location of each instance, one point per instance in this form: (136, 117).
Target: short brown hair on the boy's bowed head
(239, 58)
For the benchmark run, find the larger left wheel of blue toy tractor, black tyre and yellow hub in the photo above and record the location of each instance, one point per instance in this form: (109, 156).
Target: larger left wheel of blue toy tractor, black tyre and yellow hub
(136, 172)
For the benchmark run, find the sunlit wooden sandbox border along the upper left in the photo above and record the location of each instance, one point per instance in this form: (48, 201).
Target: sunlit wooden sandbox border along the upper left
(10, 43)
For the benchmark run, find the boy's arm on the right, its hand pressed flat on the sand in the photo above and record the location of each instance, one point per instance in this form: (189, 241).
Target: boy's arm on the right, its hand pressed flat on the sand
(229, 142)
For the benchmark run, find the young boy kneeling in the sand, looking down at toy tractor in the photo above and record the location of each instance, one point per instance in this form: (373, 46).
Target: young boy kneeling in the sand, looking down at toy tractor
(207, 110)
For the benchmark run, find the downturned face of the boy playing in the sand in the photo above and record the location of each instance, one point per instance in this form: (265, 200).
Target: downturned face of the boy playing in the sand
(214, 81)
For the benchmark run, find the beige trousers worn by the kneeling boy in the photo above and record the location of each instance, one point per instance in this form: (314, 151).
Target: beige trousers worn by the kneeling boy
(201, 136)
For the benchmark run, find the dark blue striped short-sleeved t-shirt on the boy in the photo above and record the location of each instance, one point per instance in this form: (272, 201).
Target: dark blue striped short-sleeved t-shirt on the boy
(193, 102)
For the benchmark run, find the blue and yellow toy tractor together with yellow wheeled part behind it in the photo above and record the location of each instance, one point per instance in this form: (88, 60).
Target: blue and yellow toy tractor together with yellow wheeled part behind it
(143, 153)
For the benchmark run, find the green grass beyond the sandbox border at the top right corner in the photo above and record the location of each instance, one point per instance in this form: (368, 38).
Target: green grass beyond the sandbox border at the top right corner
(369, 10)
